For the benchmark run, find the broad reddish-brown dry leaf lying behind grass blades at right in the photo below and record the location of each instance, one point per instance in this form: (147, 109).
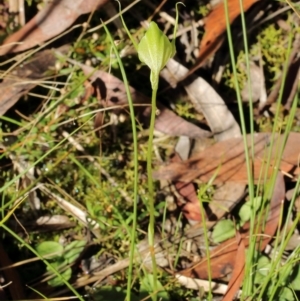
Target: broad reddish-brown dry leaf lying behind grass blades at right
(225, 160)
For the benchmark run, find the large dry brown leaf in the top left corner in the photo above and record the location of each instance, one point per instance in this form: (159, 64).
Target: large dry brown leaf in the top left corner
(52, 20)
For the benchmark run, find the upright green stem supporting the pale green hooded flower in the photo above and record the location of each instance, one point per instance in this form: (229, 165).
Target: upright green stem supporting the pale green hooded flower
(151, 191)
